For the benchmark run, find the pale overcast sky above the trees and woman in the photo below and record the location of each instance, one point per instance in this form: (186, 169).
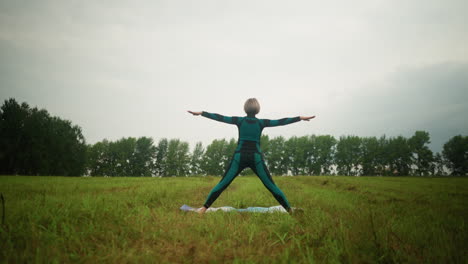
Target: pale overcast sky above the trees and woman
(133, 68)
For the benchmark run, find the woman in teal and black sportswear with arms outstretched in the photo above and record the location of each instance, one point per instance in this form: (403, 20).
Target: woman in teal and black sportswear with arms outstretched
(248, 153)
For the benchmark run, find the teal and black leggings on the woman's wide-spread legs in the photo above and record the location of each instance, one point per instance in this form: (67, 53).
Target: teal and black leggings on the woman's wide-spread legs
(240, 161)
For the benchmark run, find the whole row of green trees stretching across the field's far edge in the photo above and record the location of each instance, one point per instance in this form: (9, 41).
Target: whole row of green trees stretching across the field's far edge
(35, 143)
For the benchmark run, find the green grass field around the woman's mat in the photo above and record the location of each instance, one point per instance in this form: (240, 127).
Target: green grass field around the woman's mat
(137, 220)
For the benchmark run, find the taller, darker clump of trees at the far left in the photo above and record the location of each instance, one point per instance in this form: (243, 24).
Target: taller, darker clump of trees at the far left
(32, 142)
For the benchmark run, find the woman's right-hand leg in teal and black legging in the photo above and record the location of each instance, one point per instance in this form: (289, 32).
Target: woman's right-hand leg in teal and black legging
(262, 172)
